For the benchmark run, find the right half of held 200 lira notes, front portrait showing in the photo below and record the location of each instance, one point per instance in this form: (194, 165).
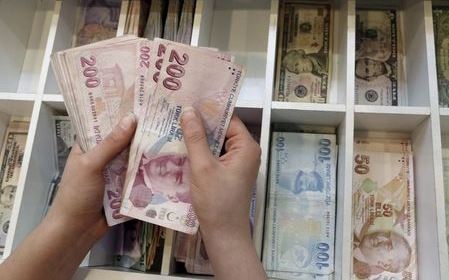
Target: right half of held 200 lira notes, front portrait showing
(158, 190)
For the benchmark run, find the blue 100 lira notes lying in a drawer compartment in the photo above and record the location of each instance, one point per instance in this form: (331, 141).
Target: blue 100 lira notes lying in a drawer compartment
(300, 218)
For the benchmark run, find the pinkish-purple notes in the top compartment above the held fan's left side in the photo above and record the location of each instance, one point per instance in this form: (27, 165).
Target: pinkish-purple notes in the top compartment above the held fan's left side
(96, 20)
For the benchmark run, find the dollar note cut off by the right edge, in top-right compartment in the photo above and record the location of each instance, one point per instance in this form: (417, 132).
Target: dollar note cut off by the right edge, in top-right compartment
(441, 32)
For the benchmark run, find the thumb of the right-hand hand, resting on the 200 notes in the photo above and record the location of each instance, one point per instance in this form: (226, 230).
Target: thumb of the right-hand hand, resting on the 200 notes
(195, 138)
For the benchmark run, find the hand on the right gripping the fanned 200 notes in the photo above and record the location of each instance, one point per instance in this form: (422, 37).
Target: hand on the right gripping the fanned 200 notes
(221, 187)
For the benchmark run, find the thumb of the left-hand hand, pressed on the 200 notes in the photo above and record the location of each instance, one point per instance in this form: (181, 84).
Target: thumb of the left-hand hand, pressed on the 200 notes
(114, 143)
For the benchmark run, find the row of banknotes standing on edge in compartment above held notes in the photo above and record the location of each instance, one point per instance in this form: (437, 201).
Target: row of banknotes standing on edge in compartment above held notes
(169, 19)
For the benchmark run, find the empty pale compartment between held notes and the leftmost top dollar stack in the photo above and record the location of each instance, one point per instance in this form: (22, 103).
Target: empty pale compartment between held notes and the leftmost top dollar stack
(242, 29)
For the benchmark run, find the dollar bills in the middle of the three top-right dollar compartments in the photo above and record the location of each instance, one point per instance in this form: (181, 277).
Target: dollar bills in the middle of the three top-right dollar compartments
(379, 65)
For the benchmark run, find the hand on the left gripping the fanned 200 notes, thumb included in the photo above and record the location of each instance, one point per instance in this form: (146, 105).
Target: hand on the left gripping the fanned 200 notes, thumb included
(79, 201)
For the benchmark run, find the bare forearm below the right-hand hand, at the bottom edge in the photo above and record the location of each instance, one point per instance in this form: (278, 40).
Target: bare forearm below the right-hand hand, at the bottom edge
(233, 255)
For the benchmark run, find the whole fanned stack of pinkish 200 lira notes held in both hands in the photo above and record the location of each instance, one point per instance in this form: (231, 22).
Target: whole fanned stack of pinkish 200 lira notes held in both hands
(156, 80)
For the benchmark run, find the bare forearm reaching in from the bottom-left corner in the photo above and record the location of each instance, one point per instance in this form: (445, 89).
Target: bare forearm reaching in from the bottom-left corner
(53, 250)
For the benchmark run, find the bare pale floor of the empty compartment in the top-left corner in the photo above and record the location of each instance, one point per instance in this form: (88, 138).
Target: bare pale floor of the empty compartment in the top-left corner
(16, 18)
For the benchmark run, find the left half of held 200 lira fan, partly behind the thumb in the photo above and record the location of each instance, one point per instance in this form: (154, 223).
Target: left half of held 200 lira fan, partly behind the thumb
(98, 84)
